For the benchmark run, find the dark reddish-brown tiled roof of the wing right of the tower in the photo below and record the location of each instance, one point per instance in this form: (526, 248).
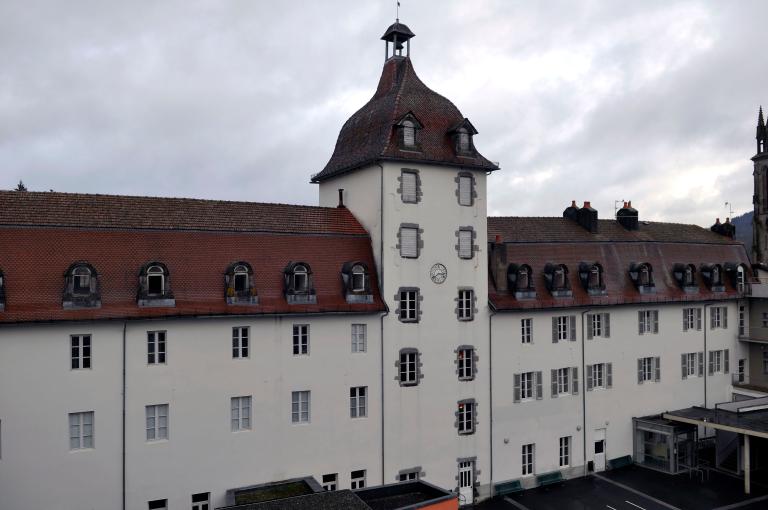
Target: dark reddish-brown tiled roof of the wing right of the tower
(537, 241)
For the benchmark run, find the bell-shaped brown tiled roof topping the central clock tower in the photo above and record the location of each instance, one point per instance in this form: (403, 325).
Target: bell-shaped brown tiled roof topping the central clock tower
(368, 136)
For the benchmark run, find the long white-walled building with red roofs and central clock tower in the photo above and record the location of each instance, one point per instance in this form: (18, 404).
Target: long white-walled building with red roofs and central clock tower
(156, 352)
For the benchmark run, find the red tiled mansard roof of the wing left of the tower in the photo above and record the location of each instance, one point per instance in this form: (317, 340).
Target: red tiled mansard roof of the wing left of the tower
(41, 234)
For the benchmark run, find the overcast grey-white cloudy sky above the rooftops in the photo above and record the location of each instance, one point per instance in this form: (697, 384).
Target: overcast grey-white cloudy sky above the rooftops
(589, 100)
